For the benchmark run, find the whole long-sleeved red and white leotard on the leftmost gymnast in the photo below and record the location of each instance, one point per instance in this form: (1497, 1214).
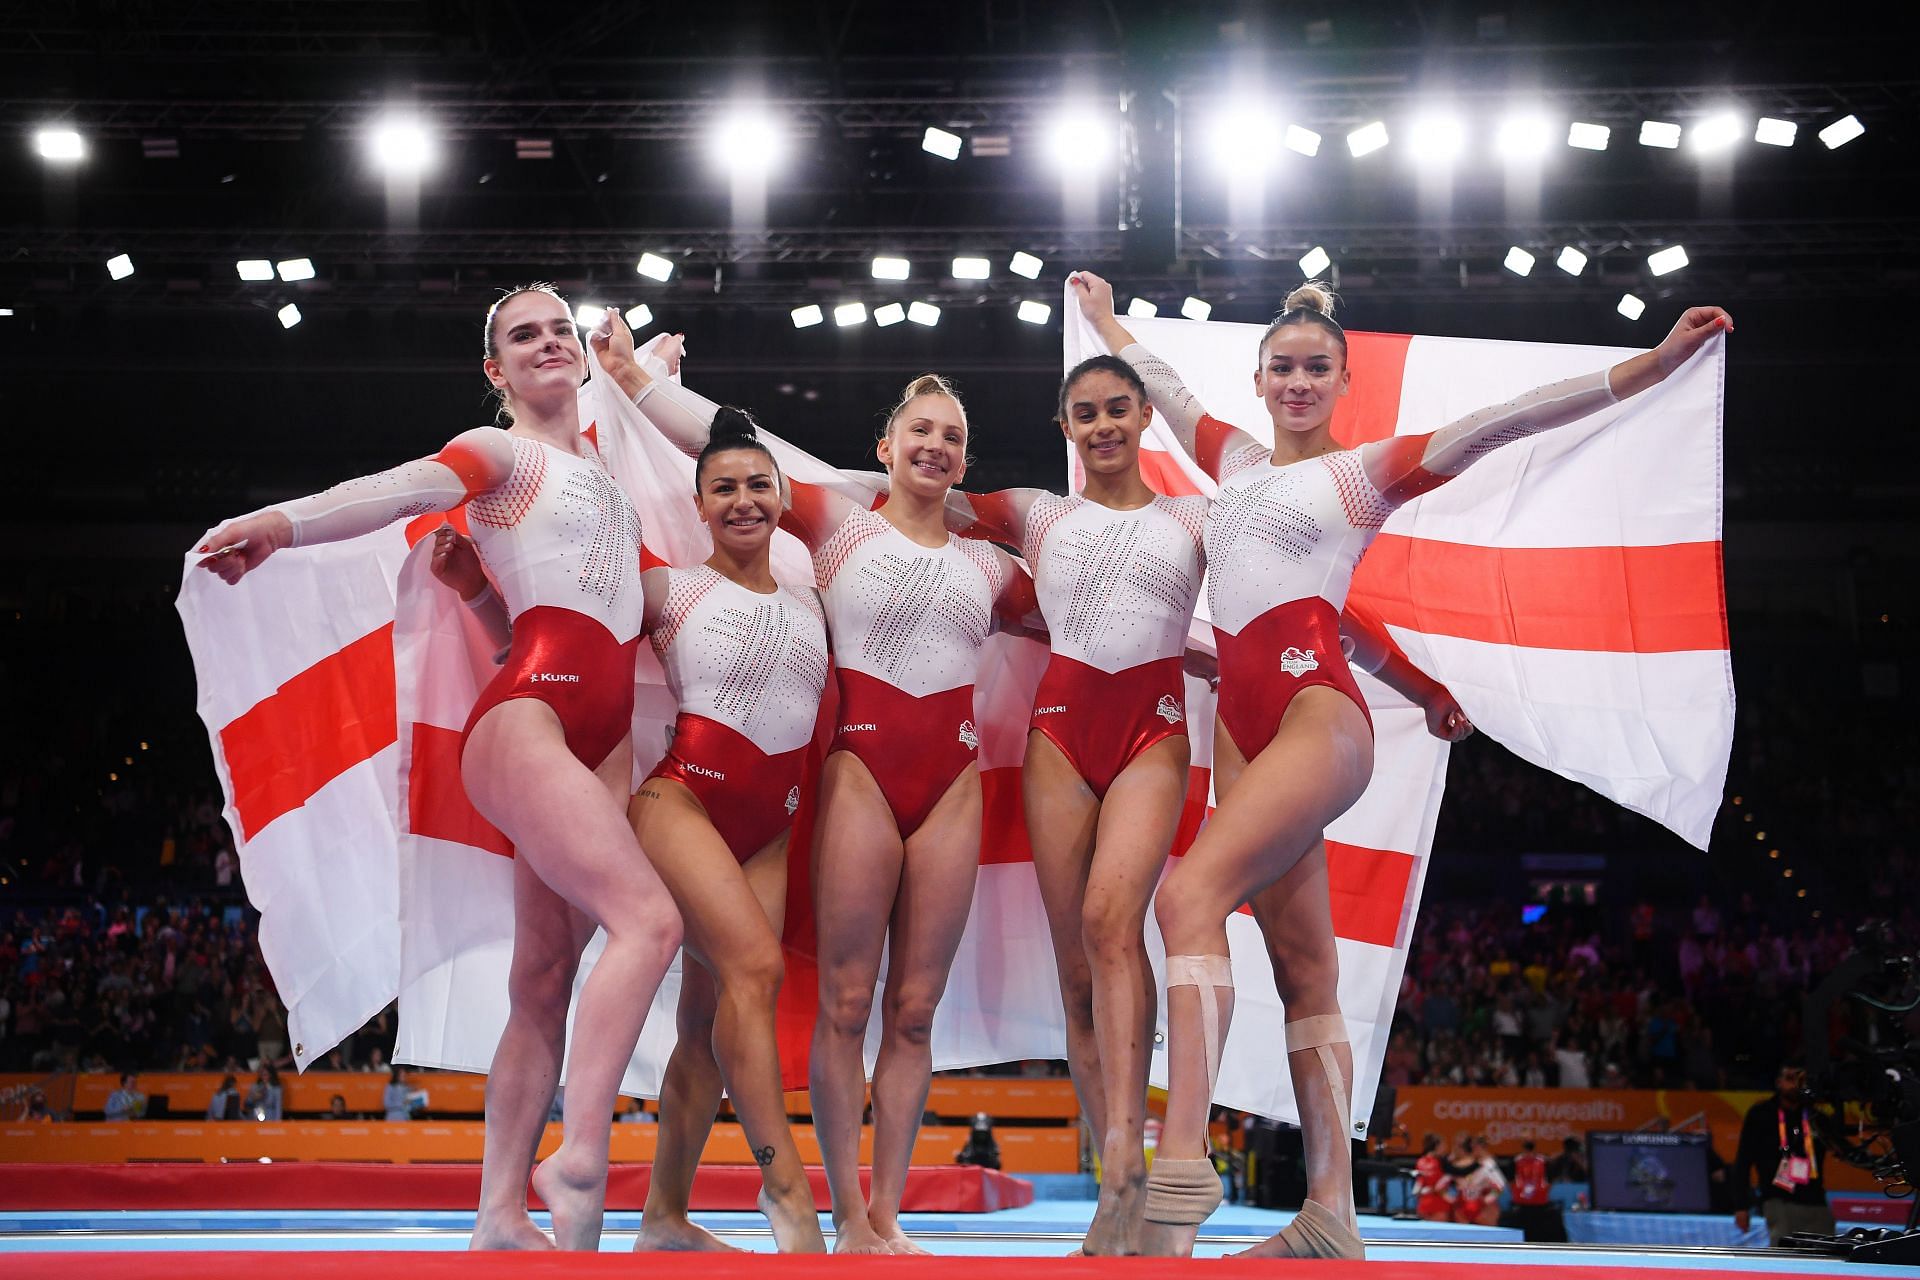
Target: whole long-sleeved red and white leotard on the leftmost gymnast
(564, 546)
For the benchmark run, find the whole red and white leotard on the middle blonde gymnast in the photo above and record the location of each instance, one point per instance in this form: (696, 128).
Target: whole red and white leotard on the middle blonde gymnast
(907, 625)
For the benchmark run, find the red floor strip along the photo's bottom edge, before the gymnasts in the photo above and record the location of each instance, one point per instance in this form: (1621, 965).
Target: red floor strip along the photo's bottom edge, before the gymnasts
(763, 1268)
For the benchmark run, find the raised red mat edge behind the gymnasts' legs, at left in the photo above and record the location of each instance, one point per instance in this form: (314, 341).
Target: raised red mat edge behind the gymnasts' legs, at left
(439, 1187)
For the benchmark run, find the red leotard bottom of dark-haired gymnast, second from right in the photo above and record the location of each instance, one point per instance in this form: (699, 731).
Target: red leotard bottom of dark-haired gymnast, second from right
(1101, 721)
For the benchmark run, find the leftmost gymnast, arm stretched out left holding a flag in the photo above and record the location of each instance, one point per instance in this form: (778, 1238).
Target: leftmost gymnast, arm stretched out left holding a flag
(546, 753)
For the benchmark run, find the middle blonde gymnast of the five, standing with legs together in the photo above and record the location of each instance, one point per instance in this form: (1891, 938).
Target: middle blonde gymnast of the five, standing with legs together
(898, 843)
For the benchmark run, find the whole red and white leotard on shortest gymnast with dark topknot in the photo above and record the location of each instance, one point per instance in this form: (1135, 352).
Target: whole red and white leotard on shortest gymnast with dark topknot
(748, 673)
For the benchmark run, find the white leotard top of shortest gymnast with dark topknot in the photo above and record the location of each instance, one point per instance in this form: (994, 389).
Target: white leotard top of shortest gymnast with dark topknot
(754, 663)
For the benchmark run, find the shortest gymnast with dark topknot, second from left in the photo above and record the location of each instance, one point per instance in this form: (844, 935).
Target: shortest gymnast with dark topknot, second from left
(748, 663)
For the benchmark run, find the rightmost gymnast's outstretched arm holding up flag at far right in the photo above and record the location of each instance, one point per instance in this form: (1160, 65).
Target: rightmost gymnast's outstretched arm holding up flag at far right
(1406, 467)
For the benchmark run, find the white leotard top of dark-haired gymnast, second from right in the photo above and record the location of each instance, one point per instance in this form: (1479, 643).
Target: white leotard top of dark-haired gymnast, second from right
(1116, 586)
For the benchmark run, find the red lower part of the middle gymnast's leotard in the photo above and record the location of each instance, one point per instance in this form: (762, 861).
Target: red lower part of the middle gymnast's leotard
(913, 747)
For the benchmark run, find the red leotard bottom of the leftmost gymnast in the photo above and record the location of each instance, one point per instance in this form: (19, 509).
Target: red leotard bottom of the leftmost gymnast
(579, 669)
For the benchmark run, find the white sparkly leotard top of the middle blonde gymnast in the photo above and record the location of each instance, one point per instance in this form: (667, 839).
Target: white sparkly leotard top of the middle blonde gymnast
(909, 615)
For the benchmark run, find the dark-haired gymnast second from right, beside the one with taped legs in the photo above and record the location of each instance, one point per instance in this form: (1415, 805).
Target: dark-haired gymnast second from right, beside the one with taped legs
(1116, 571)
